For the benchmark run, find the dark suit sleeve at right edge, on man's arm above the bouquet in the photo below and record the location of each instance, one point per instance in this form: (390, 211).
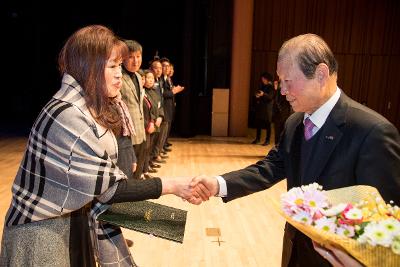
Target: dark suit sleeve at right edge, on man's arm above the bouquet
(379, 161)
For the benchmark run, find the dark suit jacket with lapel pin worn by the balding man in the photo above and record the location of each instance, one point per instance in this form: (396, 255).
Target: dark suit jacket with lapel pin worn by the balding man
(355, 146)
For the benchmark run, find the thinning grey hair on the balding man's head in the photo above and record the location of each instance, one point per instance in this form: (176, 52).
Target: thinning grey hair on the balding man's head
(308, 51)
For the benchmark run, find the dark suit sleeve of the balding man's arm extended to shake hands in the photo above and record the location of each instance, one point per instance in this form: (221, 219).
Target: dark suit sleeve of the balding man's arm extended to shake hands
(256, 177)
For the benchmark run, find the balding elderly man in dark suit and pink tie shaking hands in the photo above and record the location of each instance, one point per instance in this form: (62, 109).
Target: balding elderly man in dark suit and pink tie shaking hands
(331, 140)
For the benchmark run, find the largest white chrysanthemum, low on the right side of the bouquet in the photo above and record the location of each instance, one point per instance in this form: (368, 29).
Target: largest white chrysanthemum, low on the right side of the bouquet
(376, 234)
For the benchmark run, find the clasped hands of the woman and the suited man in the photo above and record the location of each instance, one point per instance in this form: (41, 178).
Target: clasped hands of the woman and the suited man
(195, 190)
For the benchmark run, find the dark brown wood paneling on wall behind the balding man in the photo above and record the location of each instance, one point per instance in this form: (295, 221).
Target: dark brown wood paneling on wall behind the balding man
(364, 36)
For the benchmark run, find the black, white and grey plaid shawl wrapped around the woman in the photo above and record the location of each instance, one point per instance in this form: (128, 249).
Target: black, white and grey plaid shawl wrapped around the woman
(69, 163)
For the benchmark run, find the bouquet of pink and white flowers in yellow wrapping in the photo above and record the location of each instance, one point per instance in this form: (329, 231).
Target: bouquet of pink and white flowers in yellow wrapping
(355, 219)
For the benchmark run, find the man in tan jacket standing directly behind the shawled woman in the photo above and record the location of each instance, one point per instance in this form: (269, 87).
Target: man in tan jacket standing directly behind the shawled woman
(132, 94)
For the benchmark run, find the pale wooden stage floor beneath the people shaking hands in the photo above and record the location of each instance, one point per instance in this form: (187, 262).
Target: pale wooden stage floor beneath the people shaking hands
(251, 229)
